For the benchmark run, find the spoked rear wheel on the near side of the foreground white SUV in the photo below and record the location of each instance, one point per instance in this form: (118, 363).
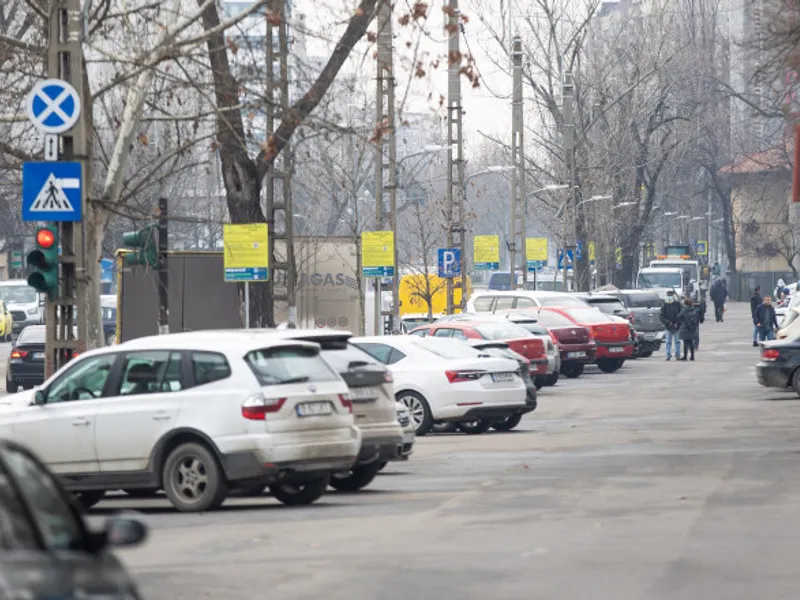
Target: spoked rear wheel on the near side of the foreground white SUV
(193, 479)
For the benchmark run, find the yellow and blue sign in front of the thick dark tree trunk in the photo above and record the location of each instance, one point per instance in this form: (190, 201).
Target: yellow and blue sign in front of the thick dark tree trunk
(246, 252)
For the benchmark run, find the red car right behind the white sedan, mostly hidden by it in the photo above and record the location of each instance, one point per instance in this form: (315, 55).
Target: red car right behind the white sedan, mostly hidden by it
(518, 339)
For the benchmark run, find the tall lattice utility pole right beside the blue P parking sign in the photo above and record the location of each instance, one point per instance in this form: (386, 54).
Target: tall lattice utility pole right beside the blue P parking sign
(456, 189)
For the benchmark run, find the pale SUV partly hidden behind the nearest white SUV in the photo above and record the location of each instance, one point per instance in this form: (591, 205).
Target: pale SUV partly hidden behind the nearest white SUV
(372, 390)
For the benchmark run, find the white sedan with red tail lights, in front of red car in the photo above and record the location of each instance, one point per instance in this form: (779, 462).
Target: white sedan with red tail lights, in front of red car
(447, 381)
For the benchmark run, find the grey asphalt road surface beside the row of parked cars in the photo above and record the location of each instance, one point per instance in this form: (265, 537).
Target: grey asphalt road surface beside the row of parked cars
(663, 481)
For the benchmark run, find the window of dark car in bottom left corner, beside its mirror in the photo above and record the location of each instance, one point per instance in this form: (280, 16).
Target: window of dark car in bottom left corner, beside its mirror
(58, 523)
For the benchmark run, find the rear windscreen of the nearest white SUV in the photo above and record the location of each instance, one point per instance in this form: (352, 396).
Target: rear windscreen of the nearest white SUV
(274, 366)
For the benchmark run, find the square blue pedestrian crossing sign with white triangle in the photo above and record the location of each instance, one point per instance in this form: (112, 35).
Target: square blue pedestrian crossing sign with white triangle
(51, 191)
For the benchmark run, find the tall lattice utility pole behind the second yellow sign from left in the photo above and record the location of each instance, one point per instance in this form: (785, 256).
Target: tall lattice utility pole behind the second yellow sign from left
(386, 159)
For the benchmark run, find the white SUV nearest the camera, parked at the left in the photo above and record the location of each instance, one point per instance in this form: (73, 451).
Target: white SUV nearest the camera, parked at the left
(194, 416)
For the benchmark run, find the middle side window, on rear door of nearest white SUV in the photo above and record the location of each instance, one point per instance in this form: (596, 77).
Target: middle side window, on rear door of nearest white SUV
(150, 372)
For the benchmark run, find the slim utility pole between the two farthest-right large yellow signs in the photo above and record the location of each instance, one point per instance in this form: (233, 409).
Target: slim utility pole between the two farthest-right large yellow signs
(518, 208)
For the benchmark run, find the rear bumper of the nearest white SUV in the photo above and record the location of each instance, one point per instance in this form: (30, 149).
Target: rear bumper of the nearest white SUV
(289, 456)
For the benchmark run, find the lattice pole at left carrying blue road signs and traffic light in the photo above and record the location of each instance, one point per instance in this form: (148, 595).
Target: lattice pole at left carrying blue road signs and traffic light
(67, 312)
